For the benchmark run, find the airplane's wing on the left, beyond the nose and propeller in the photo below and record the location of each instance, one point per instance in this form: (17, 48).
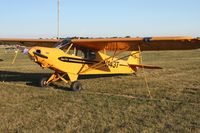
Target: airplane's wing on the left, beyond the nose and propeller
(31, 42)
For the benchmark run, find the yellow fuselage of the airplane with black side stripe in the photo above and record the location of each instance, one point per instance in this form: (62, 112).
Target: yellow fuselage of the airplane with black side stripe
(57, 60)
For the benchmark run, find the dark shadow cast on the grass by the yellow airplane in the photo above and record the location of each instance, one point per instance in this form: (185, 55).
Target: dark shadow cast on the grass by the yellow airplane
(33, 79)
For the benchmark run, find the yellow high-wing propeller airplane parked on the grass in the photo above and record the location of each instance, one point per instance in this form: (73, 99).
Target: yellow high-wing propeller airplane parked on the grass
(74, 57)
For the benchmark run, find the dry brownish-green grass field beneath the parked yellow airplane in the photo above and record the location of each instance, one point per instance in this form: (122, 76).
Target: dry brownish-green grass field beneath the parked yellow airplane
(107, 104)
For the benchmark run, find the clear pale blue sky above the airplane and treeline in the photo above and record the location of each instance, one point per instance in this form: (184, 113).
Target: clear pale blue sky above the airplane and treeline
(99, 18)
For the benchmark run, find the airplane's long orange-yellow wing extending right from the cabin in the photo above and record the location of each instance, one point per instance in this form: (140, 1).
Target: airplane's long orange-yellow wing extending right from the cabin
(145, 44)
